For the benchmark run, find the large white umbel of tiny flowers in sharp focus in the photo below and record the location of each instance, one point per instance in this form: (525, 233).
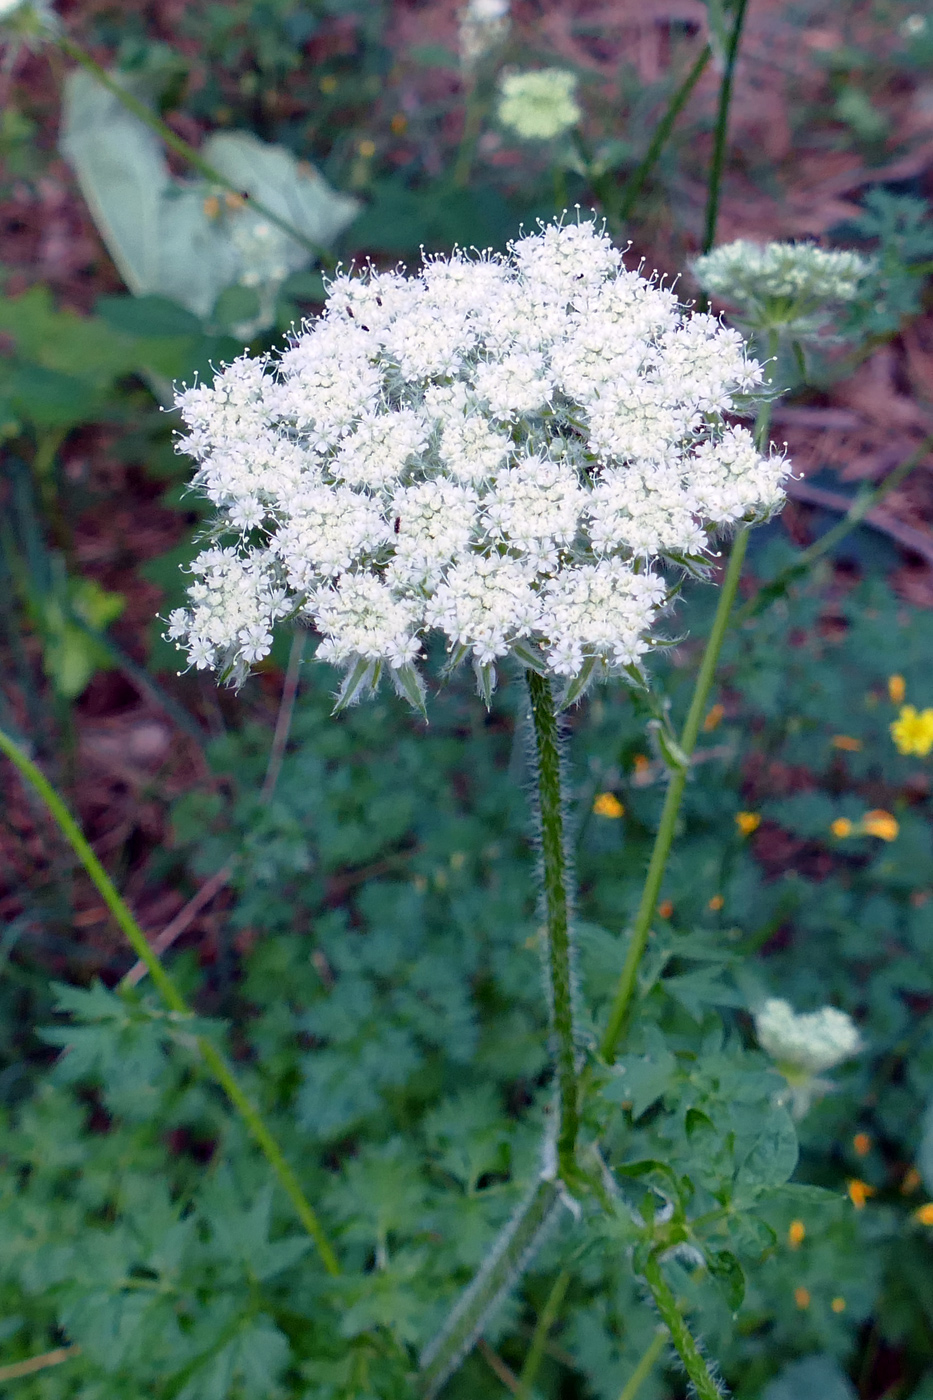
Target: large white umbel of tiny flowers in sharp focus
(506, 450)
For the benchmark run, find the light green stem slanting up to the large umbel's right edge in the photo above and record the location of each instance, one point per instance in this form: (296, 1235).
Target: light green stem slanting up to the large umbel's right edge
(638, 943)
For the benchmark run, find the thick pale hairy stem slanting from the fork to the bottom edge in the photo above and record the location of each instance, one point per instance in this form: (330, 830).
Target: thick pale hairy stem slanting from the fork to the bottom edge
(509, 1258)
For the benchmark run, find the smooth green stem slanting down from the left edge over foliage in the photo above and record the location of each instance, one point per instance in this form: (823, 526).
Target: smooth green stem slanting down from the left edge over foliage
(173, 999)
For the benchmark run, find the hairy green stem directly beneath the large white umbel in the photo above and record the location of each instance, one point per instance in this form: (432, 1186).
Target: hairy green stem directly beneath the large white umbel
(555, 870)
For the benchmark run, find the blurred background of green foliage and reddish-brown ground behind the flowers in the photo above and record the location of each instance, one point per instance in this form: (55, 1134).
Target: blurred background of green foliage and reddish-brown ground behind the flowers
(351, 901)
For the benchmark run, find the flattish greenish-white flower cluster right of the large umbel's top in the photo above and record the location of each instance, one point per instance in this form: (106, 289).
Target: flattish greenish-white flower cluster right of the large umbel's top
(777, 285)
